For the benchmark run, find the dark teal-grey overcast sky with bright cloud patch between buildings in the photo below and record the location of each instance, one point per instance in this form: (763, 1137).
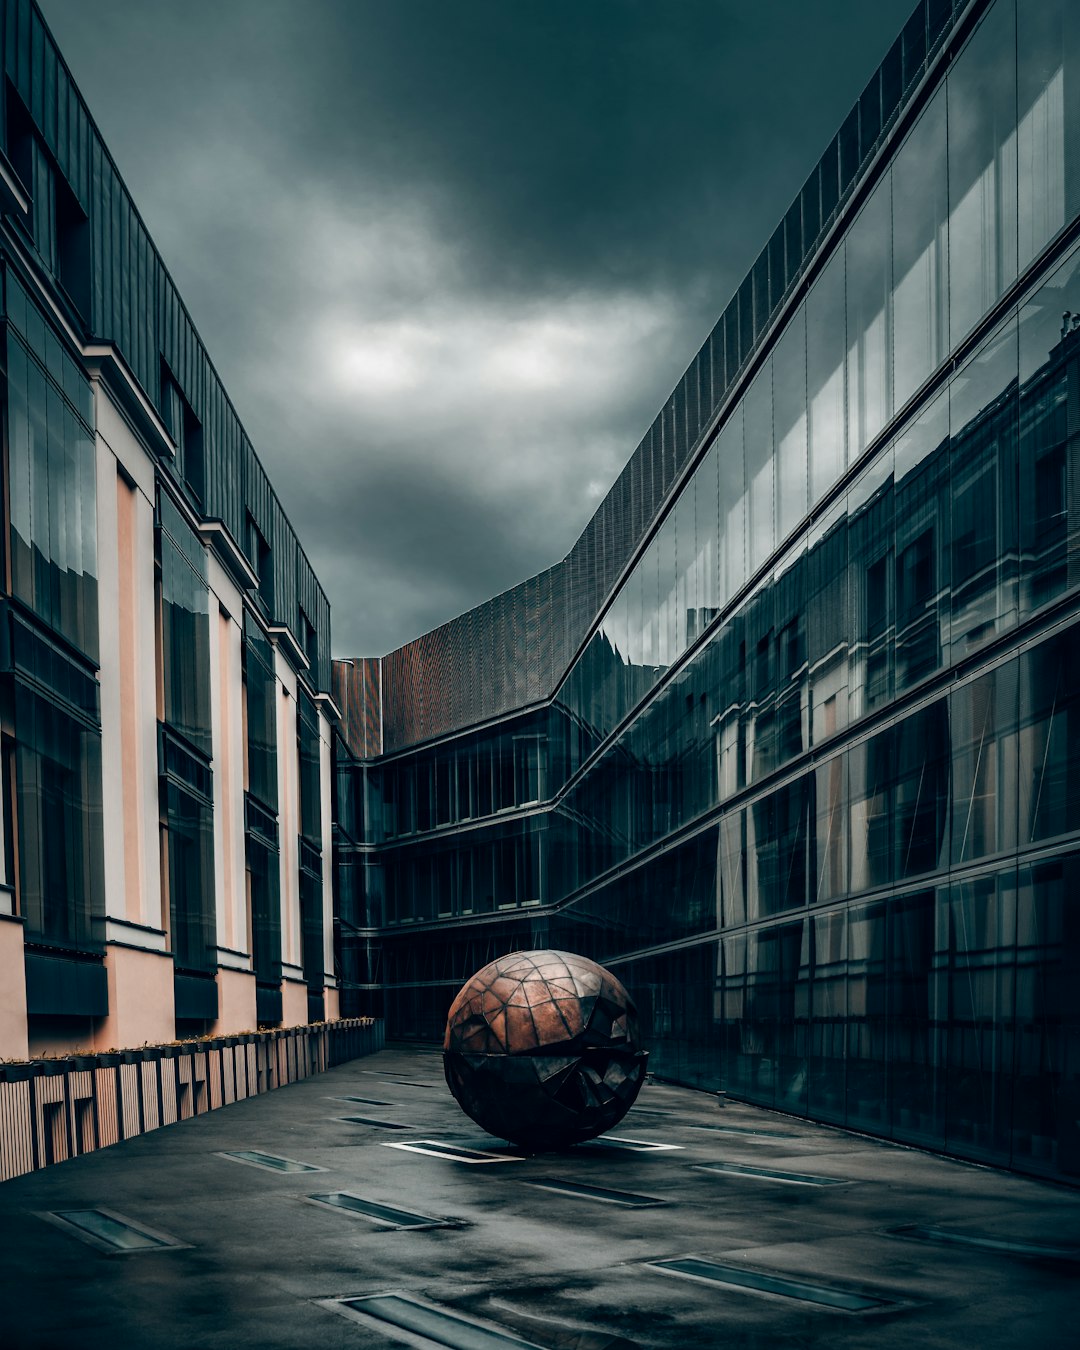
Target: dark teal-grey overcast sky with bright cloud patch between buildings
(450, 257)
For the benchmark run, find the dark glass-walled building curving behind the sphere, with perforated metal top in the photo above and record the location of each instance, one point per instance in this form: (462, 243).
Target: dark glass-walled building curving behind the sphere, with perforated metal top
(792, 739)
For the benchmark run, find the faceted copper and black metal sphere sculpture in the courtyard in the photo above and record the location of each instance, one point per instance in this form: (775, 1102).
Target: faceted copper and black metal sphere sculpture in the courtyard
(542, 1048)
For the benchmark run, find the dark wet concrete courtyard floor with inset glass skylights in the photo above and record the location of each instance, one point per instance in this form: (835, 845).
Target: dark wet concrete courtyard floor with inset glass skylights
(983, 1259)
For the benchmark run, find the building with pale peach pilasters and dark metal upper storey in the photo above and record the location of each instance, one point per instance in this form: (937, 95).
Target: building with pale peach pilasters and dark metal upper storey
(165, 713)
